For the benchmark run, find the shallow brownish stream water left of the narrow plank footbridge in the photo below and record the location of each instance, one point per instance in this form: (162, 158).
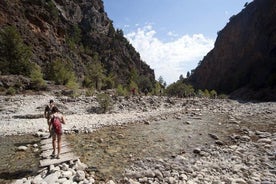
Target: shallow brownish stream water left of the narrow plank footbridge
(17, 164)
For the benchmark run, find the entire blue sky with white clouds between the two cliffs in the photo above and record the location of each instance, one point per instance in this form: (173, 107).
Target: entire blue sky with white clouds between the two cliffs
(172, 36)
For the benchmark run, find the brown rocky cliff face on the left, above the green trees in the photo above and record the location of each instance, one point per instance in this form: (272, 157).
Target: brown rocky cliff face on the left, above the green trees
(77, 31)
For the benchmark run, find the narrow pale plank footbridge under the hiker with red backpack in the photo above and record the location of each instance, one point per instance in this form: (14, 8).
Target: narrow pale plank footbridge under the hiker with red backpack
(65, 155)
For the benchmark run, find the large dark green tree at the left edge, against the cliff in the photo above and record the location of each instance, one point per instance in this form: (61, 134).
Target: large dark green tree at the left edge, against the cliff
(14, 54)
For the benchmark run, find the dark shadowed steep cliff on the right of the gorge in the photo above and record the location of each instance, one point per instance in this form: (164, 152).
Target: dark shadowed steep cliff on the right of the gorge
(243, 61)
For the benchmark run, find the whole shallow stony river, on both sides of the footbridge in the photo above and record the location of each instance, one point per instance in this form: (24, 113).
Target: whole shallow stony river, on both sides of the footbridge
(110, 150)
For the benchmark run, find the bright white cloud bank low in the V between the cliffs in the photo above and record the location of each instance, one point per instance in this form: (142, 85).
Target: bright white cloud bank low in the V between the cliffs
(170, 59)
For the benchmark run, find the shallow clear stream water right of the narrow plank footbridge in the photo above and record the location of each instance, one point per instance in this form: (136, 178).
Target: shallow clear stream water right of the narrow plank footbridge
(112, 149)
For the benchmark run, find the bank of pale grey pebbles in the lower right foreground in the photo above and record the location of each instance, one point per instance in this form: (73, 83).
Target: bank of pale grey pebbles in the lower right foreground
(227, 164)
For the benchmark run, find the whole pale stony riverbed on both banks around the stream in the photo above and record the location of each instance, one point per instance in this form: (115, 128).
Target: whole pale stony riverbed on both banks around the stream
(226, 141)
